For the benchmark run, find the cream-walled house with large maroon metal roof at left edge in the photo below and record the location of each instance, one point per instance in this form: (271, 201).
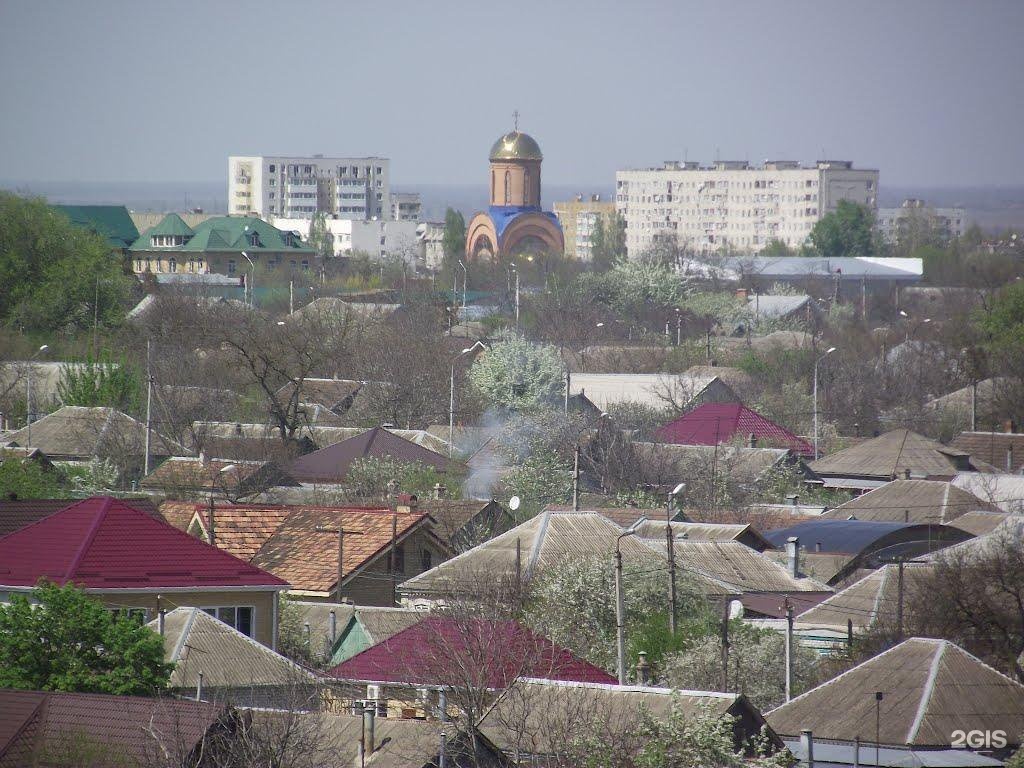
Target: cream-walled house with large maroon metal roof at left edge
(136, 562)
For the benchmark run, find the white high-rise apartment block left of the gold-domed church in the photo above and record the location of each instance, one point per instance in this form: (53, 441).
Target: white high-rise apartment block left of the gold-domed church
(298, 188)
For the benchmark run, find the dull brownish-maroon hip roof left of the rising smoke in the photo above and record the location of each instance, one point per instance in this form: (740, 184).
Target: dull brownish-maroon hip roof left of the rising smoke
(331, 464)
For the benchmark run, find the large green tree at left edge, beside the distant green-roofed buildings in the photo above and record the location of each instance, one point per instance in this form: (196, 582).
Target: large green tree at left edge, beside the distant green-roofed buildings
(57, 276)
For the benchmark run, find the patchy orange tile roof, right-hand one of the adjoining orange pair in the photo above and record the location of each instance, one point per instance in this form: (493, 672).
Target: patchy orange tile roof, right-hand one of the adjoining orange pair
(309, 561)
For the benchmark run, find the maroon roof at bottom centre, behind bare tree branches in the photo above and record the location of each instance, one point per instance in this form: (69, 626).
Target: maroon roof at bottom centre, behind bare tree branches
(443, 650)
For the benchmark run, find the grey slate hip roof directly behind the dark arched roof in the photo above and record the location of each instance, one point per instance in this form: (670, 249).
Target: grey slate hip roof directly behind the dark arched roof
(911, 501)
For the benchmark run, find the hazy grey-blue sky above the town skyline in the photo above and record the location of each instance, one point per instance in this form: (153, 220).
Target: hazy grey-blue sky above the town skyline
(930, 93)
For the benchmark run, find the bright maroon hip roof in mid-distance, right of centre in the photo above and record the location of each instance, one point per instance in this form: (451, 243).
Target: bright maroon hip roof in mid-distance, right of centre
(715, 423)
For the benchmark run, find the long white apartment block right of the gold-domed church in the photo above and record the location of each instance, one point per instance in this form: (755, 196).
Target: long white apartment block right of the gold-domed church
(732, 205)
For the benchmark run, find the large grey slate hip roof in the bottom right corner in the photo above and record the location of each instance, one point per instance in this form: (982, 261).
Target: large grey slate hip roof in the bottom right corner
(931, 689)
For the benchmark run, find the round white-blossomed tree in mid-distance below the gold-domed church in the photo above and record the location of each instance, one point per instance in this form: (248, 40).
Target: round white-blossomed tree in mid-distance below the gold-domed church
(518, 374)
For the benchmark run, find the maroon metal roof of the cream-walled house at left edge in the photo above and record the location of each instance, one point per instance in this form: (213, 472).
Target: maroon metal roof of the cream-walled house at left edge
(103, 543)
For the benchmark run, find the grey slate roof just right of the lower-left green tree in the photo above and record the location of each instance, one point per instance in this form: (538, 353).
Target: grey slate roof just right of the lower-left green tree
(196, 643)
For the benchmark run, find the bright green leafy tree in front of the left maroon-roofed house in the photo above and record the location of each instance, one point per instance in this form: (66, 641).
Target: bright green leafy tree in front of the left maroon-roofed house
(65, 641)
